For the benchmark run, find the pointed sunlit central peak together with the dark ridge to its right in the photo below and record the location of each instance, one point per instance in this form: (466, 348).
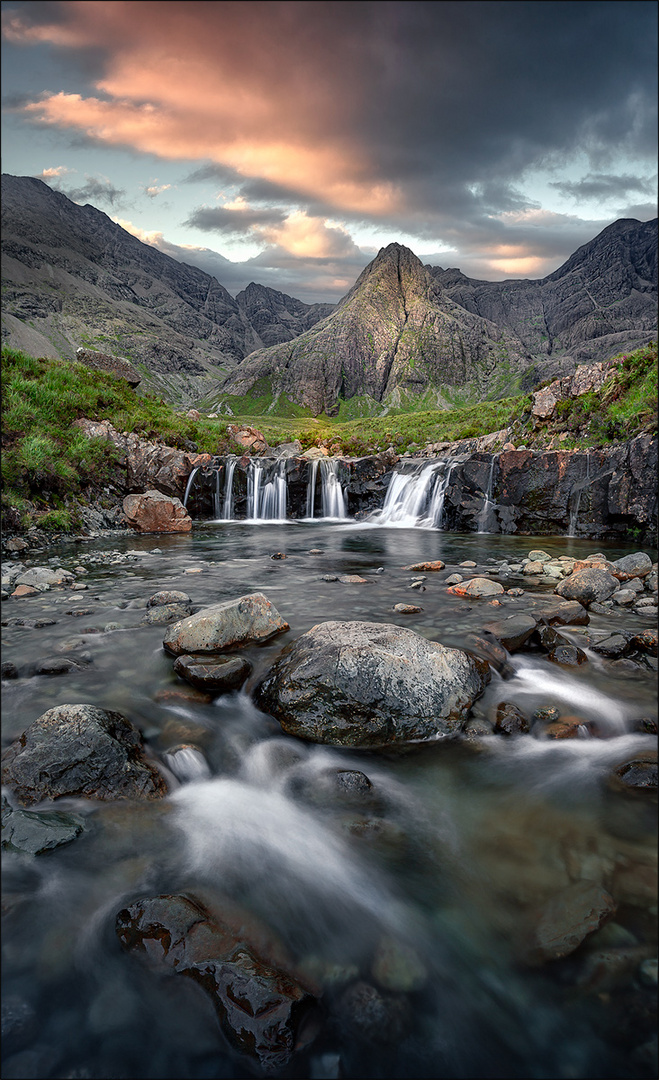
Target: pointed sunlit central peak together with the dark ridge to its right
(413, 334)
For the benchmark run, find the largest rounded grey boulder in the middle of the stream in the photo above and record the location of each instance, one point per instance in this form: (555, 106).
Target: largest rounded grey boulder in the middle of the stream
(365, 684)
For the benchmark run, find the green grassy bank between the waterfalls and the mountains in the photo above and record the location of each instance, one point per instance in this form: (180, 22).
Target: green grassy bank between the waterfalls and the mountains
(48, 465)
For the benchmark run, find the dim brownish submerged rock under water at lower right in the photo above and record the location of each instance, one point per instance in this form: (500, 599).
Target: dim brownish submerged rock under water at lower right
(569, 919)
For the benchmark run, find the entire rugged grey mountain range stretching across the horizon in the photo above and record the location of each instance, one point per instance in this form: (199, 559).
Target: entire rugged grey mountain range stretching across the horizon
(406, 334)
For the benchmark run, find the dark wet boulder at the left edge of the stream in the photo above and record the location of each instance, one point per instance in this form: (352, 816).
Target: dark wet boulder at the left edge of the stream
(80, 751)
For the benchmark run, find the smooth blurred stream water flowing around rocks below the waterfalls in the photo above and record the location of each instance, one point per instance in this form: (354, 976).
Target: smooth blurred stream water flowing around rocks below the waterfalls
(470, 843)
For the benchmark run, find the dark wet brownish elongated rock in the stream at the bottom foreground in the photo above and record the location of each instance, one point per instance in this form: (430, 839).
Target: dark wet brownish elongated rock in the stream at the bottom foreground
(260, 1007)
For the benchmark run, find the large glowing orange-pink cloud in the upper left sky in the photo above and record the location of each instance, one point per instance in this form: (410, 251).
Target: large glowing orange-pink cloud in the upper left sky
(181, 88)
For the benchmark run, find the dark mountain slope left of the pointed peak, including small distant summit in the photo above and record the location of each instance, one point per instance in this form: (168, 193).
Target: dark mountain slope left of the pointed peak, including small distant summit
(72, 277)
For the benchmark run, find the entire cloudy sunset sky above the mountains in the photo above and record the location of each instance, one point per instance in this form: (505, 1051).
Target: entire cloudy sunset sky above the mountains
(286, 143)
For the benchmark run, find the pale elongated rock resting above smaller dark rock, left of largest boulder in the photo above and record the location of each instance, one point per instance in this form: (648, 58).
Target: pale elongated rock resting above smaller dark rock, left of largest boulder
(248, 619)
